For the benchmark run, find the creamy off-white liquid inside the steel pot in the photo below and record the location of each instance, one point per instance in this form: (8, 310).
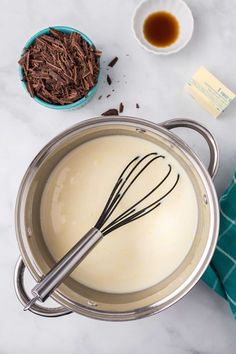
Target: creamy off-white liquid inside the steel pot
(139, 254)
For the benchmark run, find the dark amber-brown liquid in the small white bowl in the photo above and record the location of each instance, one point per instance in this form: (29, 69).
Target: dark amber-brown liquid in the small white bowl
(161, 29)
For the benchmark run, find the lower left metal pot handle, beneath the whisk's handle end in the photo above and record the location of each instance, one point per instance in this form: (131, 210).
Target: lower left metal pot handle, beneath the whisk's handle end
(24, 299)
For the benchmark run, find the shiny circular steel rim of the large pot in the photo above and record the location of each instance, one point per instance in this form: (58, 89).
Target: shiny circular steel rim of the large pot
(189, 283)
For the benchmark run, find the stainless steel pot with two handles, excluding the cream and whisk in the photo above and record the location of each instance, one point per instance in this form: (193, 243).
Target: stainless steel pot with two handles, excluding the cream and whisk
(73, 296)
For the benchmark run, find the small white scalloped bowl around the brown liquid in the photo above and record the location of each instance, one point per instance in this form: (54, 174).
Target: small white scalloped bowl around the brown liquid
(179, 9)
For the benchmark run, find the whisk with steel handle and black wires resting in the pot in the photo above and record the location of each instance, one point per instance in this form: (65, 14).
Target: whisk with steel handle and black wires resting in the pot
(104, 224)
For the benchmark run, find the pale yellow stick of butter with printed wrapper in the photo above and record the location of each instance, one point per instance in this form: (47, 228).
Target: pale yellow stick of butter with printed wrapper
(209, 92)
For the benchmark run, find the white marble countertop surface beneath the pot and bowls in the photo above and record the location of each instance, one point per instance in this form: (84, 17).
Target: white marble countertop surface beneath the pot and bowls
(201, 322)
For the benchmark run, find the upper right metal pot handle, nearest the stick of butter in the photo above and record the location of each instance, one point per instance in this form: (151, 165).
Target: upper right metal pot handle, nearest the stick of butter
(211, 142)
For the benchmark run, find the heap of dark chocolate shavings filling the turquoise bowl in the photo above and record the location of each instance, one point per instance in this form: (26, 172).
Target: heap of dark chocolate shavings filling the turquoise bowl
(60, 68)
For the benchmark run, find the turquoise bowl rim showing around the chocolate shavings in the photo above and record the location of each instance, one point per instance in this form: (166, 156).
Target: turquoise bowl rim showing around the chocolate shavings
(77, 104)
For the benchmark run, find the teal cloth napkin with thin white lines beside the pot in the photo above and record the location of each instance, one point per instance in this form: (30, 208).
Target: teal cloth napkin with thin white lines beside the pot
(221, 273)
